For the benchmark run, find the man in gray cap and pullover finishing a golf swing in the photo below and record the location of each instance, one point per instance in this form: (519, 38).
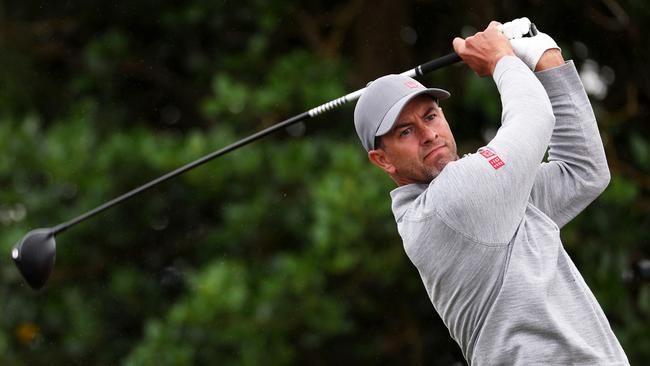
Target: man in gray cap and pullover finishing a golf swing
(483, 231)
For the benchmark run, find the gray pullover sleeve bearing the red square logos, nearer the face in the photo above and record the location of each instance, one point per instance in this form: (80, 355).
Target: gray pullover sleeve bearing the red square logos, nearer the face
(485, 194)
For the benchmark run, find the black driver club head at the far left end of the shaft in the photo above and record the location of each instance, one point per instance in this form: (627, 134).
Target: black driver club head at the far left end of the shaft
(34, 256)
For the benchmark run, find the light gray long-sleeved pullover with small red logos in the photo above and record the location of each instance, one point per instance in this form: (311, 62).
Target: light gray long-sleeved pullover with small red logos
(484, 234)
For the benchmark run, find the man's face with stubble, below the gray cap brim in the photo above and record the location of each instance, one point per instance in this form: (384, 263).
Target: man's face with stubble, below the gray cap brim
(419, 145)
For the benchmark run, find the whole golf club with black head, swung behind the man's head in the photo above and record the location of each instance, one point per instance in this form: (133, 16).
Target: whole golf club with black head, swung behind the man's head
(35, 254)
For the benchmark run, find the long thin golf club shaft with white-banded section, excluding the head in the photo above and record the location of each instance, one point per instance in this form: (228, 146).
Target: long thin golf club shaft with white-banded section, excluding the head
(417, 71)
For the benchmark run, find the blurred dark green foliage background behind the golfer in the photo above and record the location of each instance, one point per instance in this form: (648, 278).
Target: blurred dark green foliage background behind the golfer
(284, 252)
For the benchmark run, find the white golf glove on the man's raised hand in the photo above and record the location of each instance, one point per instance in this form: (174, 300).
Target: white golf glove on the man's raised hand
(528, 49)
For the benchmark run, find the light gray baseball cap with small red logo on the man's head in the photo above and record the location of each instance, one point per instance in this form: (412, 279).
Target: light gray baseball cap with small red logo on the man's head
(383, 101)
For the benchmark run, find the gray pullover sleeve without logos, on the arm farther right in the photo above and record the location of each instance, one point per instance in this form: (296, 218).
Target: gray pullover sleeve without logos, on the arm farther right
(576, 171)
